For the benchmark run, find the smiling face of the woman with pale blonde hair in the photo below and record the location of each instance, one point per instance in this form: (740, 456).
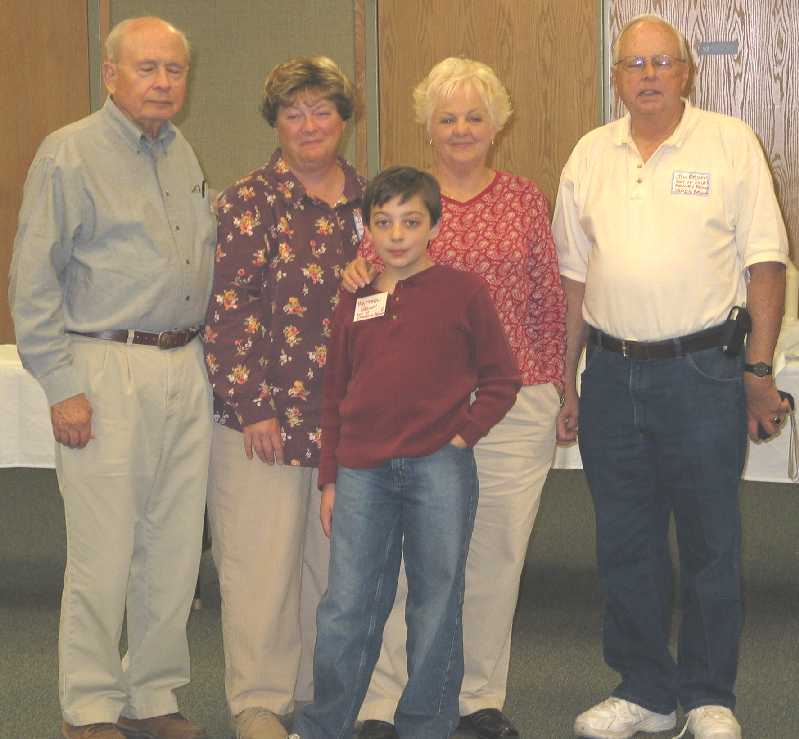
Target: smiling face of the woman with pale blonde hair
(461, 129)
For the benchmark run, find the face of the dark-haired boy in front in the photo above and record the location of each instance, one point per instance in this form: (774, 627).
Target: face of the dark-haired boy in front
(400, 233)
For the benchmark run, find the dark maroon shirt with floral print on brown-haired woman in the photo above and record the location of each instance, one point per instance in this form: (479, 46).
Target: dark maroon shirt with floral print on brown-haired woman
(279, 258)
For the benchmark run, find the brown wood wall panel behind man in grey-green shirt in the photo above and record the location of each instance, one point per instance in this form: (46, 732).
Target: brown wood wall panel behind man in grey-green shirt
(44, 85)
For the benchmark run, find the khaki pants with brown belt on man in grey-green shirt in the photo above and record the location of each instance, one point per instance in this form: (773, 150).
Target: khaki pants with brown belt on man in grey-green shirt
(133, 499)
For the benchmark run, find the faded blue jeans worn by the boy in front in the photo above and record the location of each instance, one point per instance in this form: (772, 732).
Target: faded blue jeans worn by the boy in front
(423, 509)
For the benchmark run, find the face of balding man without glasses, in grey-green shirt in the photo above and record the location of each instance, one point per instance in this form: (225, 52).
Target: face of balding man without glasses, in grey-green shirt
(148, 81)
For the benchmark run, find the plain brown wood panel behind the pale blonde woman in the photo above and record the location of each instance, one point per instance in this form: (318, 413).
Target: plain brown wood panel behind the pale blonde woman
(546, 52)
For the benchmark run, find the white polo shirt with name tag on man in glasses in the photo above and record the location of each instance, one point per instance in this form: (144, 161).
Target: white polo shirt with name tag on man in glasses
(663, 246)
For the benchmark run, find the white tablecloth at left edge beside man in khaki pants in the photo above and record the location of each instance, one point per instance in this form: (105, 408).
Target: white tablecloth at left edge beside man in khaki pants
(26, 438)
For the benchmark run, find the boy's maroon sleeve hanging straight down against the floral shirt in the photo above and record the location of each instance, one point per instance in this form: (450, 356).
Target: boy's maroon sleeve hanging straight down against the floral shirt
(337, 374)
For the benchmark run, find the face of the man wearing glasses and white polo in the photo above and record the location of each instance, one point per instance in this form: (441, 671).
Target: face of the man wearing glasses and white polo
(650, 92)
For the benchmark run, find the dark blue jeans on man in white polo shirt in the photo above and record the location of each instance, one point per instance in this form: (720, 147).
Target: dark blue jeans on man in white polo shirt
(662, 437)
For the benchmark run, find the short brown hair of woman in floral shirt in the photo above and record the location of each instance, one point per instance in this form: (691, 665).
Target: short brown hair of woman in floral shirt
(296, 75)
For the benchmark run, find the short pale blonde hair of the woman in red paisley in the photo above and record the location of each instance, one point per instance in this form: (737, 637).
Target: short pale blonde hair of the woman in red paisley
(455, 73)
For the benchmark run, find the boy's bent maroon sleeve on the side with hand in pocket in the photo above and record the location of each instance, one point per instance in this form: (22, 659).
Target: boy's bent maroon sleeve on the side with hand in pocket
(498, 379)
